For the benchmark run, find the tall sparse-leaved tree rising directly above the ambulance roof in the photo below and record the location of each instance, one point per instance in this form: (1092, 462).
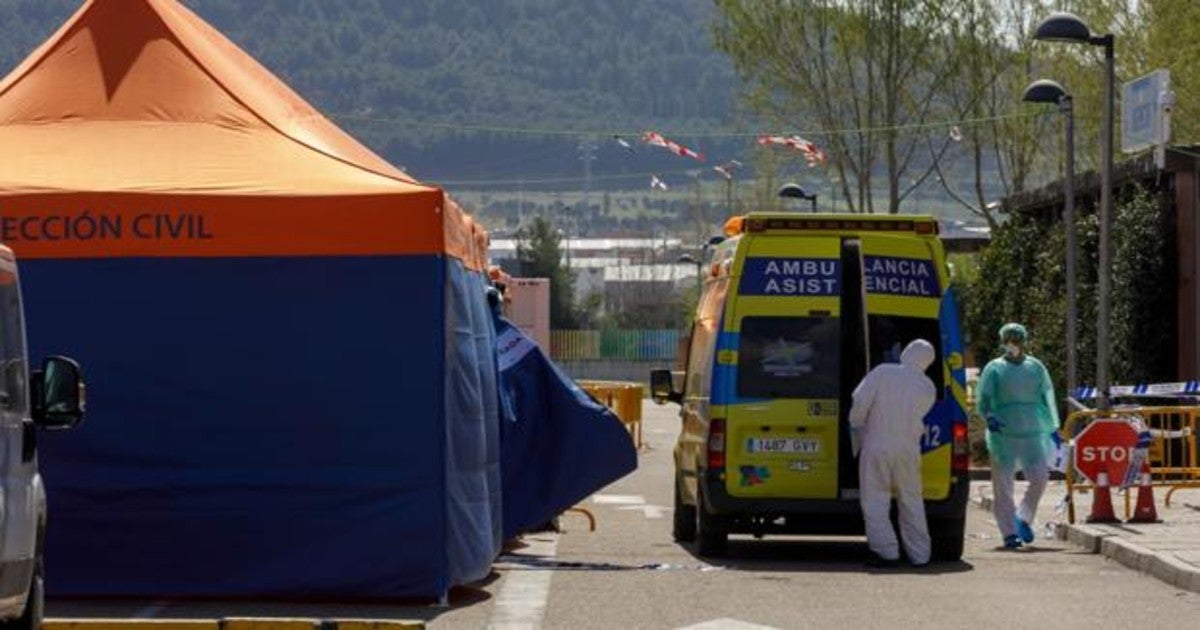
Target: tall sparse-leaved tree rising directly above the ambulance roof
(873, 67)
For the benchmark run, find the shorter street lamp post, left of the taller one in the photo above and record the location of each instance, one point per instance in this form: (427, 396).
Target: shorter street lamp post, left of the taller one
(1048, 92)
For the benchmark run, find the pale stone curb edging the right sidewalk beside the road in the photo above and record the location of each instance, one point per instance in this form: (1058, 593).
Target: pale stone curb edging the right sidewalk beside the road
(1165, 568)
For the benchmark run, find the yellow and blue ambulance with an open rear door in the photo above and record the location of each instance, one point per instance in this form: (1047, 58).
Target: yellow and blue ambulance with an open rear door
(795, 310)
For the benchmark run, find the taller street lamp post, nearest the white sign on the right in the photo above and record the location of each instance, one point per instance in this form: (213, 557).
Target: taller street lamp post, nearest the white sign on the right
(1065, 27)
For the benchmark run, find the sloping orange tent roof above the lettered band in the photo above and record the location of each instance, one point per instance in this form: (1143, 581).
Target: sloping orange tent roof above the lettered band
(145, 97)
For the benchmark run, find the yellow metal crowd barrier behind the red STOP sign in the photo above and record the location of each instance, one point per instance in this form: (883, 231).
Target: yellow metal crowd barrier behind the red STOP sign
(1173, 454)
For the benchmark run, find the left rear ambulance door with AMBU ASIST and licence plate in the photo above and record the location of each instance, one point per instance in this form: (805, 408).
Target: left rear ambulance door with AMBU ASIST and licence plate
(783, 436)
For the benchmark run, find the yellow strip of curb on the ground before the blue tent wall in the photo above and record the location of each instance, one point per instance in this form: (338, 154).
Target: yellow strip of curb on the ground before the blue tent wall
(235, 623)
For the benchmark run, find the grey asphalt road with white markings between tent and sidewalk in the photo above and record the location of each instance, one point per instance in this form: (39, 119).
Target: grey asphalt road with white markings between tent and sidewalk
(629, 574)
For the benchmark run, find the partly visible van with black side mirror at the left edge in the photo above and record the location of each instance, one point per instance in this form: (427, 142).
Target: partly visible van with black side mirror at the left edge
(51, 398)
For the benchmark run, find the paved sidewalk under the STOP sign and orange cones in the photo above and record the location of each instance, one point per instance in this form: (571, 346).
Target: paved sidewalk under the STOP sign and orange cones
(1169, 550)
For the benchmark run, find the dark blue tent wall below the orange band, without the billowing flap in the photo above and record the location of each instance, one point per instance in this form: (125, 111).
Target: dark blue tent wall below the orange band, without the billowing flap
(260, 427)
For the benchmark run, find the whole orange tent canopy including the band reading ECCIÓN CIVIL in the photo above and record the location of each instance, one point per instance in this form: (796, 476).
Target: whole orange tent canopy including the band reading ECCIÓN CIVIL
(140, 130)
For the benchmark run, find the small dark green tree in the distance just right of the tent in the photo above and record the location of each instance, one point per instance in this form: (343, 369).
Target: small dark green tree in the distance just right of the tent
(541, 254)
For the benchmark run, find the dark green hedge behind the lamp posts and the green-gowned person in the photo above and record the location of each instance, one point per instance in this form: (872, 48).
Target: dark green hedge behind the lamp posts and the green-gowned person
(1022, 280)
